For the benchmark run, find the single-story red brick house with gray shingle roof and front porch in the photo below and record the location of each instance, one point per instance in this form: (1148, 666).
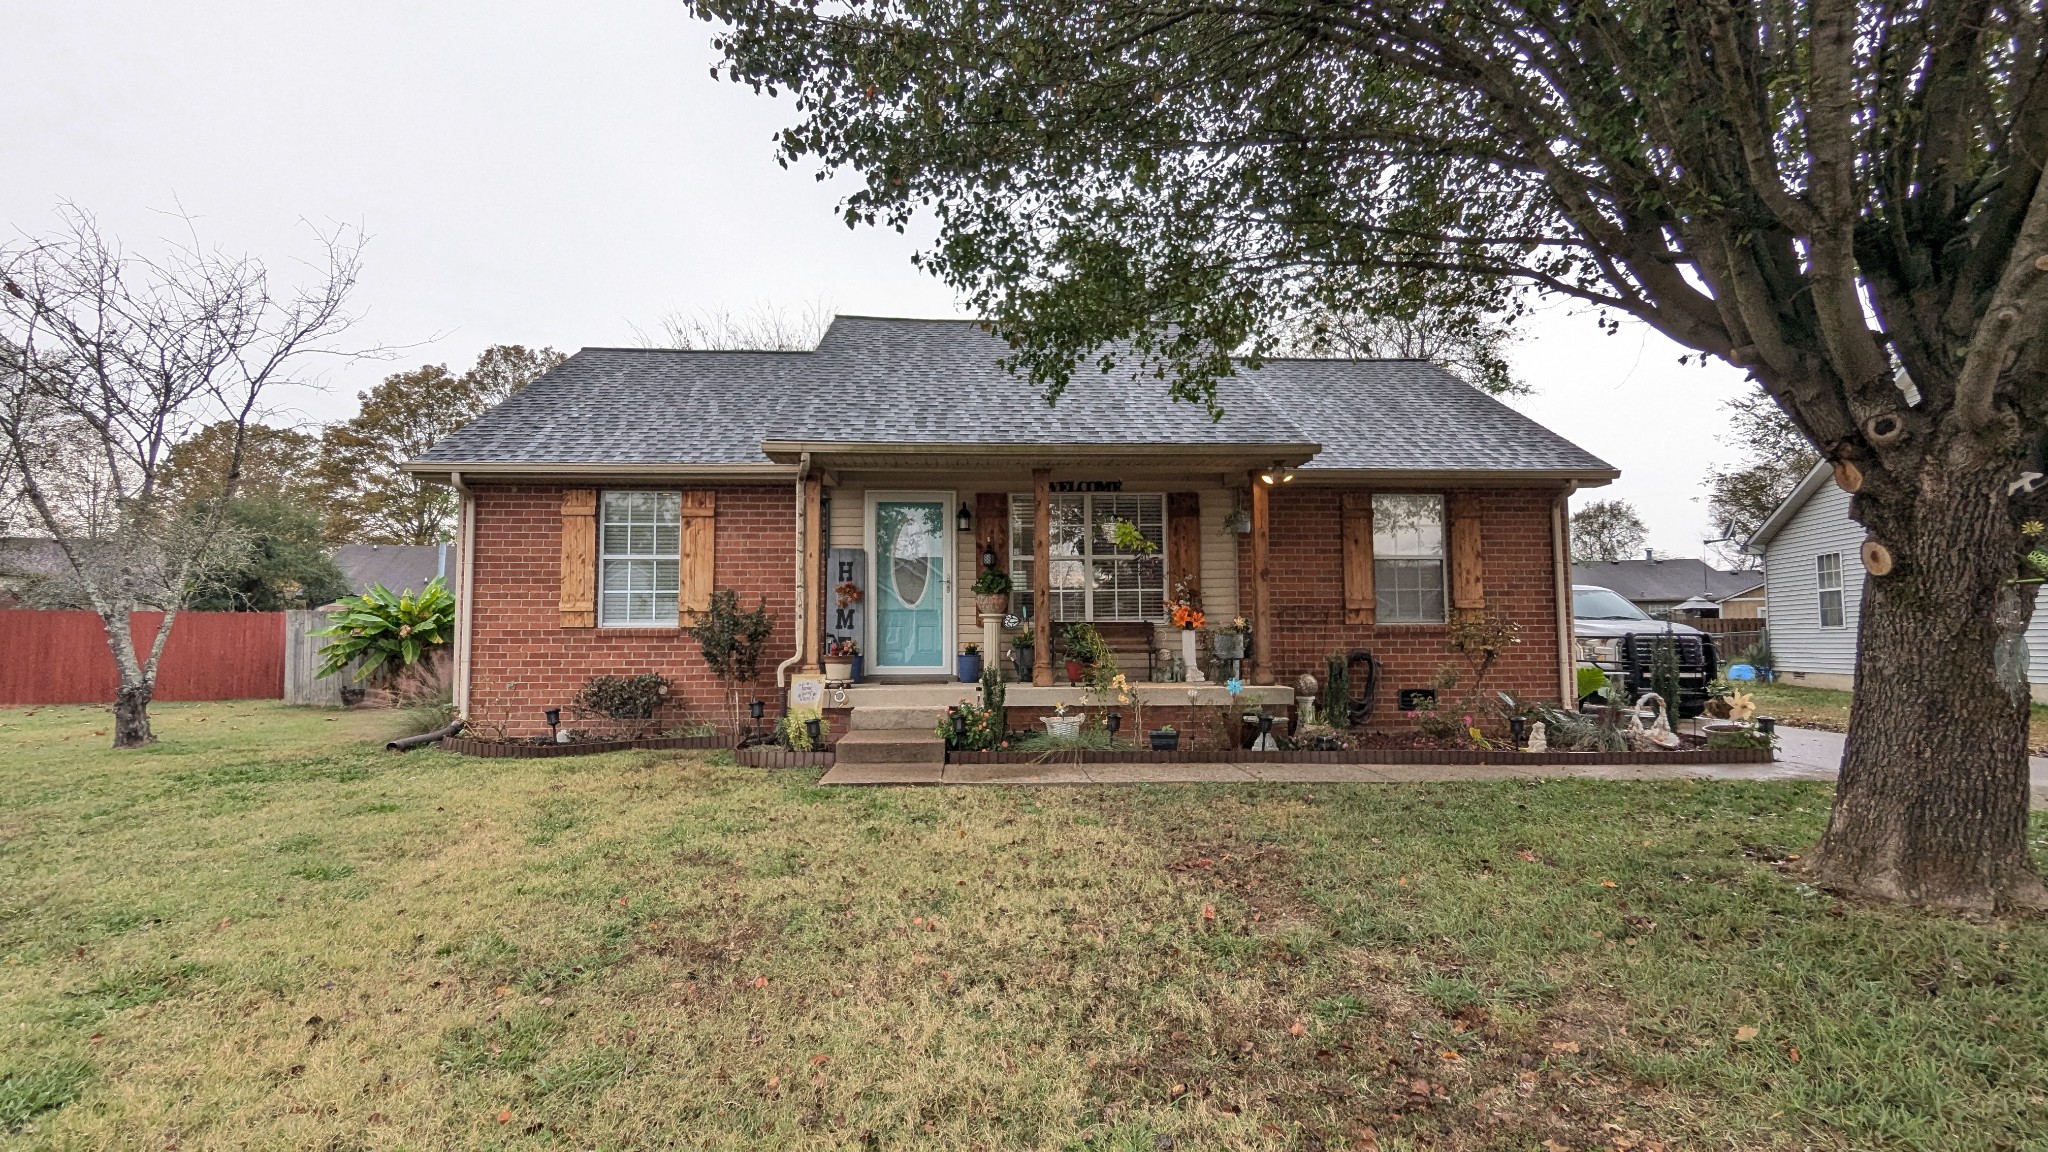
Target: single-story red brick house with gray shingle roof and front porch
(1336, 505)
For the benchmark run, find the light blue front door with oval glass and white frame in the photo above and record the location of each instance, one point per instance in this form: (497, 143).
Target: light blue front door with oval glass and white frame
(910, 587)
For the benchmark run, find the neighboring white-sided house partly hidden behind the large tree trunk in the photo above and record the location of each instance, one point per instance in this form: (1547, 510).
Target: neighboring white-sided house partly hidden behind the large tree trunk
(1814, 583)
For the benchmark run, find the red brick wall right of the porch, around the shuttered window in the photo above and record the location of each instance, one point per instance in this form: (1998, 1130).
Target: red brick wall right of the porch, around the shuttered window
(1308, 595)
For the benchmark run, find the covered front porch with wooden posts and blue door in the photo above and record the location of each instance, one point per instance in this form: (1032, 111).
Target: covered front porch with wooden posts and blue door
(914, 559)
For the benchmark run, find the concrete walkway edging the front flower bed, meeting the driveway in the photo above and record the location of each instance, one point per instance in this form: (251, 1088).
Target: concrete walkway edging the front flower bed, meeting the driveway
(1801, 755)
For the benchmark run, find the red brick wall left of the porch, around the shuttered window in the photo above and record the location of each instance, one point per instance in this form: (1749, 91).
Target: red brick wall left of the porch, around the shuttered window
(525, 663)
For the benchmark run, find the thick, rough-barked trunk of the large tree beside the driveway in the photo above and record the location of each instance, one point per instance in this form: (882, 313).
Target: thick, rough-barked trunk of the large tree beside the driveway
(1932, 803)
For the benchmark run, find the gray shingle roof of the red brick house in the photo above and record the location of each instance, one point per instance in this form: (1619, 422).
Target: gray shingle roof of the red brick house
(890, 382)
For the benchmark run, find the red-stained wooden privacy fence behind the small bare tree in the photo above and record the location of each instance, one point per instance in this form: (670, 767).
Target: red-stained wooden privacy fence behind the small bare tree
(65, 657)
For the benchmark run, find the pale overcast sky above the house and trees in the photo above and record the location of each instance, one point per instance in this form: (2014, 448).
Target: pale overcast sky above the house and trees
(560, 173)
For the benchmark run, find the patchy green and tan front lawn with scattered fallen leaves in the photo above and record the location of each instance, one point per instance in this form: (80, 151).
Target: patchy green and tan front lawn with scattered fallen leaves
(271, 934)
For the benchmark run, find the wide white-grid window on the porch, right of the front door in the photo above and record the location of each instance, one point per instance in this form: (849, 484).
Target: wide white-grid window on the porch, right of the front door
(1093, 577)
